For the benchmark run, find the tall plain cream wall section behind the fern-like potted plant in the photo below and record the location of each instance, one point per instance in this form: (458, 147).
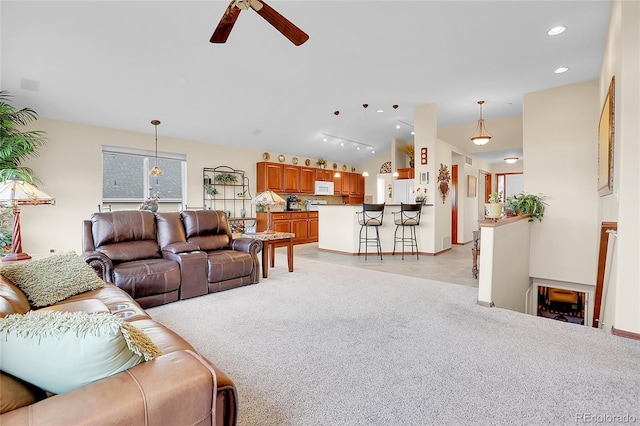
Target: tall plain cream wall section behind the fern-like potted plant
(560, 145)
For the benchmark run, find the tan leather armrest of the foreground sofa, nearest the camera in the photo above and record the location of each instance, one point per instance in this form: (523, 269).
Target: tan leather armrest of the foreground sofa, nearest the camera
(176, 388)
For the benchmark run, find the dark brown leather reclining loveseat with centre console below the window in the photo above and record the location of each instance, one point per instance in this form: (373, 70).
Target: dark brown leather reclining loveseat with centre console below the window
(163, 257)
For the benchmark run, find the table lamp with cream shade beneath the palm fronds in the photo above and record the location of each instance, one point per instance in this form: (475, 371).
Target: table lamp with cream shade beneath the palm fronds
(15, 193)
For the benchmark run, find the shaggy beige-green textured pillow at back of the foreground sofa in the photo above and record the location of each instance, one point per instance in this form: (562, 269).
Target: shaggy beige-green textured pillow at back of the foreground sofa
(52, 279)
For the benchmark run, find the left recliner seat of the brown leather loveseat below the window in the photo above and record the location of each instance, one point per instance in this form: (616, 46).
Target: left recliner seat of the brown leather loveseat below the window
(125, 241)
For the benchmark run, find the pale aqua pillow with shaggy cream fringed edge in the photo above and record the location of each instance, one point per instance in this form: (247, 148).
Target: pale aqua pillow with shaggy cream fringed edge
(61, 351)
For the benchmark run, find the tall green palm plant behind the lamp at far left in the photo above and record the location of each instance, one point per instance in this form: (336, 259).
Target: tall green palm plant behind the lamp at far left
(16, 145)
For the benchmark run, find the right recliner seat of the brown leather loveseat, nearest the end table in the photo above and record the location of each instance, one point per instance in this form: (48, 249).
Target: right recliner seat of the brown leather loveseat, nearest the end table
(230, 262)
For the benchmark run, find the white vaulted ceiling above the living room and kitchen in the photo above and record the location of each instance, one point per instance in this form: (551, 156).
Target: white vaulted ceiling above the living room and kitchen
(123, 63)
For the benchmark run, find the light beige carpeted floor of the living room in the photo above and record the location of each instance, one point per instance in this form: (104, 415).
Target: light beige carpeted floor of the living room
(337, 345)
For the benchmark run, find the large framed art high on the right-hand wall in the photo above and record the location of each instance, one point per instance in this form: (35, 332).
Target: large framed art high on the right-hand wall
(605, 142)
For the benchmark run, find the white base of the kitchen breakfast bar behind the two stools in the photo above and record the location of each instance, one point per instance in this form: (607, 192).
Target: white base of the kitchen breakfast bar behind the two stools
(338, 229)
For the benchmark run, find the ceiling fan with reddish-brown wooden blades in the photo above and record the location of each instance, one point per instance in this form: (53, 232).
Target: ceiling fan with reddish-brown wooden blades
(282, 24)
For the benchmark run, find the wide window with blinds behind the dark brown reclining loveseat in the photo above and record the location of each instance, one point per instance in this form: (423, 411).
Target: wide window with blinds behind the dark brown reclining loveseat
(126, 175)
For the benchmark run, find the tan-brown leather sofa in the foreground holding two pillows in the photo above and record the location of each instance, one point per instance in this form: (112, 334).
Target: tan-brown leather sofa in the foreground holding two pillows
(178, 387)
